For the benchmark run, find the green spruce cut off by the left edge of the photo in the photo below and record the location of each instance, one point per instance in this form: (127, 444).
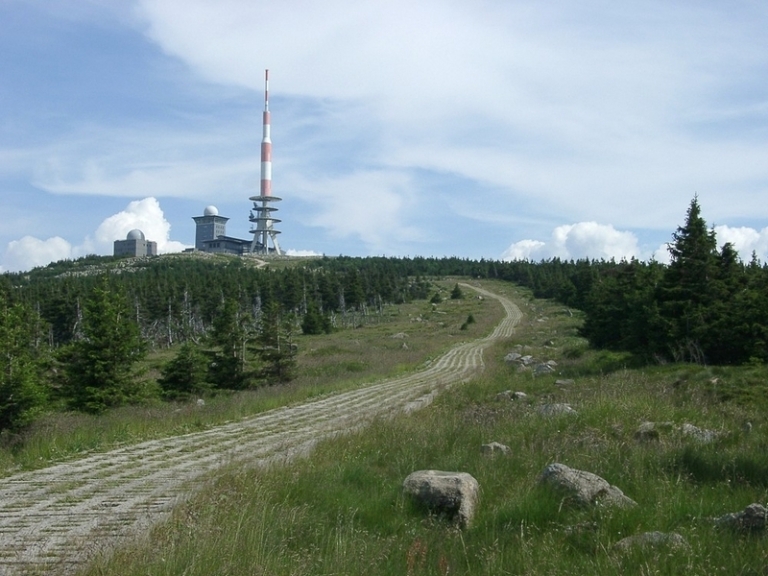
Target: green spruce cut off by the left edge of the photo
(22, 393)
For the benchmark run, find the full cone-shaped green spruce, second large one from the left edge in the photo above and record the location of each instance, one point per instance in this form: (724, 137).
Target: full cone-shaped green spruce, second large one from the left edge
(99, 366)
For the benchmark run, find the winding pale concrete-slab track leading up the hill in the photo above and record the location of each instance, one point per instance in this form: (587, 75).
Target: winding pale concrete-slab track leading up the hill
(52, 520)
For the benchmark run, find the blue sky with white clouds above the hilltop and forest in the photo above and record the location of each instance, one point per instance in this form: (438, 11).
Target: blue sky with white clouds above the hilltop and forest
(496, 129)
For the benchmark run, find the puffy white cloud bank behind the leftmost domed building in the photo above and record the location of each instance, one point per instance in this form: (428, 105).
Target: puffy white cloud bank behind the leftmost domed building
(146, 215)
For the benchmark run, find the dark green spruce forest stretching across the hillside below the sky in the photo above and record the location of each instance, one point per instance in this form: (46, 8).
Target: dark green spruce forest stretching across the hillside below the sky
(71, 333)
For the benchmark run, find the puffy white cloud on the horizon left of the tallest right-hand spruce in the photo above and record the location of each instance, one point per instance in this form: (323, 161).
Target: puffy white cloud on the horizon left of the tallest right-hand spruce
(573, 241)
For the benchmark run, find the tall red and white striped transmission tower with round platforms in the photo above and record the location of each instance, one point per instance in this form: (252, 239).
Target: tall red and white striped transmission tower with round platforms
(261, 213)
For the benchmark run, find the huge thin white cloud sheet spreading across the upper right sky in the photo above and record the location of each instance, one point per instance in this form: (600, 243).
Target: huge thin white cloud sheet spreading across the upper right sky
(595, 113)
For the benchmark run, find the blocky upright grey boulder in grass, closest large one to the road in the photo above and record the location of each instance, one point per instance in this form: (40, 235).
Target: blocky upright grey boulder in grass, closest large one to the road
(453, 494)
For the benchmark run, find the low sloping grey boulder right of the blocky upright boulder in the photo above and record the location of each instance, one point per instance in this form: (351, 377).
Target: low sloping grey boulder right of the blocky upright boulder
(583, 488)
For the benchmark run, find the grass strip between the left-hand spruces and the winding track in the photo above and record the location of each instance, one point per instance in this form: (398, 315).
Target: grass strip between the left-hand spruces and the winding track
(400, 339)
